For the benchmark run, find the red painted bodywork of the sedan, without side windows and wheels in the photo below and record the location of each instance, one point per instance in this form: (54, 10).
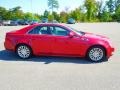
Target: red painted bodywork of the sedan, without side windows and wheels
(56, 45)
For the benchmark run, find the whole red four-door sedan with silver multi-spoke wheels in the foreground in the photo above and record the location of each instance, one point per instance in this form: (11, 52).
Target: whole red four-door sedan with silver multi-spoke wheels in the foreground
(57, 40)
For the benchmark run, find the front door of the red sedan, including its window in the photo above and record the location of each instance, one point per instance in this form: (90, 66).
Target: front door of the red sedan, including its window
(64, 44)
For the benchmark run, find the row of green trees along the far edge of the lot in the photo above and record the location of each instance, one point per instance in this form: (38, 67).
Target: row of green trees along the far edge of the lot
(90, 11)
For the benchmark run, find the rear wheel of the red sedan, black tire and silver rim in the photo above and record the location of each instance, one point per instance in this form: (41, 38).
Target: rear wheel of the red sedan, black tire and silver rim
(23, 51)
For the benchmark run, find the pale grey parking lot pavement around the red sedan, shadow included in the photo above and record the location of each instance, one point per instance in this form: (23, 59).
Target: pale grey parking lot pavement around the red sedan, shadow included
(61, 73)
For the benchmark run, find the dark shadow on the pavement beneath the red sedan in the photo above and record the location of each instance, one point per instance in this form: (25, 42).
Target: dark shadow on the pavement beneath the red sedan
(11, 56)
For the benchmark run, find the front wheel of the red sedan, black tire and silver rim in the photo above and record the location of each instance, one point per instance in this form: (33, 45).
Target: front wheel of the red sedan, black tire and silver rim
(97, 56)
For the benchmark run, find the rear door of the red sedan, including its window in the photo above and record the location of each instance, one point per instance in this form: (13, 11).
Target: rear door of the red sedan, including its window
(41, 40)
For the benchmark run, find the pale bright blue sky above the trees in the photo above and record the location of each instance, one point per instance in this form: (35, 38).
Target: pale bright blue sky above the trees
(39, 6)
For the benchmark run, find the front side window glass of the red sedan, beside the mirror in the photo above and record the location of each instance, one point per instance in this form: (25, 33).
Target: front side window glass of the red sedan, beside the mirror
(59, 31)
